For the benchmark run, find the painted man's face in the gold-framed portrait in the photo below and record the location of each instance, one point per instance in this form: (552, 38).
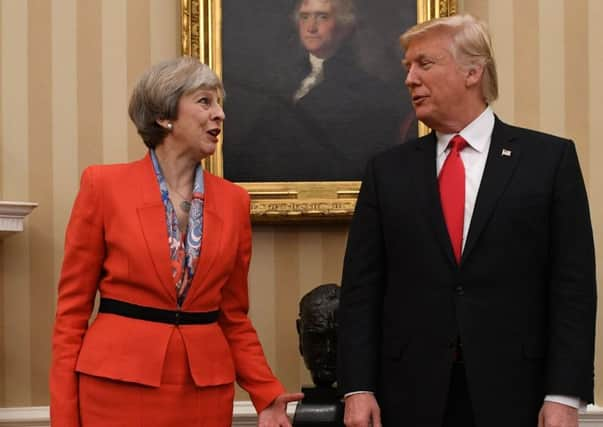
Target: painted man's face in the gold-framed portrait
(318, 30)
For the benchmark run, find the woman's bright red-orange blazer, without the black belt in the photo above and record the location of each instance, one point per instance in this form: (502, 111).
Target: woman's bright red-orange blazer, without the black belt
(116, 243)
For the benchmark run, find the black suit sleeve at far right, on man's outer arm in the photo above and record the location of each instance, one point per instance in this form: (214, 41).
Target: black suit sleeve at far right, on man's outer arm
(572, 291)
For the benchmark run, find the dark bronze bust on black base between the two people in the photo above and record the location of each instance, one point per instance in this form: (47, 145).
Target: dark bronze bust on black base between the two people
(317, 330)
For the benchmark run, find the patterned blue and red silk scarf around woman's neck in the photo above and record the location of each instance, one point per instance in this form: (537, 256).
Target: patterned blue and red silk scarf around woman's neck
(185, 248)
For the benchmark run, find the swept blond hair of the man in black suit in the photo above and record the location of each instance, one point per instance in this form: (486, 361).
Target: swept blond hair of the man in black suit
(471, 46)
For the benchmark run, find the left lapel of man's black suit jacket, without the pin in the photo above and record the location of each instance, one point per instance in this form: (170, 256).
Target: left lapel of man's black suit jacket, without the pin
(429, 193)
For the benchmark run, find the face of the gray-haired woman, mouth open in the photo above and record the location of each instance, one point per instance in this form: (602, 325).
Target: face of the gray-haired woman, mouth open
(199, 122)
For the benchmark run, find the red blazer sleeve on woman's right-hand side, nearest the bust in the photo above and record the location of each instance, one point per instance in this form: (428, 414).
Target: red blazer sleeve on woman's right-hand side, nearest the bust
(252, 370)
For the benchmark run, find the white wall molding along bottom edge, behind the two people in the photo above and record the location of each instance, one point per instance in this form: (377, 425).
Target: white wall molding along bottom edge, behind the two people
(244, 416)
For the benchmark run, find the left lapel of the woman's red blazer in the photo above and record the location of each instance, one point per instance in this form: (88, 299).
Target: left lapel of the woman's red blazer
(151, 214)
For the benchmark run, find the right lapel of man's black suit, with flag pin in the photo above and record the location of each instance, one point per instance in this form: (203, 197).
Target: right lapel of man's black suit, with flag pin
(502, 159)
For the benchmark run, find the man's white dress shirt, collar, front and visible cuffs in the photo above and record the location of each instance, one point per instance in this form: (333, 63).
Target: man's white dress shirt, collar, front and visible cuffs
(478, 135)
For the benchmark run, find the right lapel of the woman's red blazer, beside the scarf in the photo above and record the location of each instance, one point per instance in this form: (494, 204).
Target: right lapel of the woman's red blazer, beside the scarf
(212, 237)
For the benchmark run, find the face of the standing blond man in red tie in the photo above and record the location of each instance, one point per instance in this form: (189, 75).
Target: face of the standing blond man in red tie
(437, 84)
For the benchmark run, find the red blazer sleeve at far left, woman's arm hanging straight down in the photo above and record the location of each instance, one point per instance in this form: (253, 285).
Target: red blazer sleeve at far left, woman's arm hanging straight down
(83, 258)
